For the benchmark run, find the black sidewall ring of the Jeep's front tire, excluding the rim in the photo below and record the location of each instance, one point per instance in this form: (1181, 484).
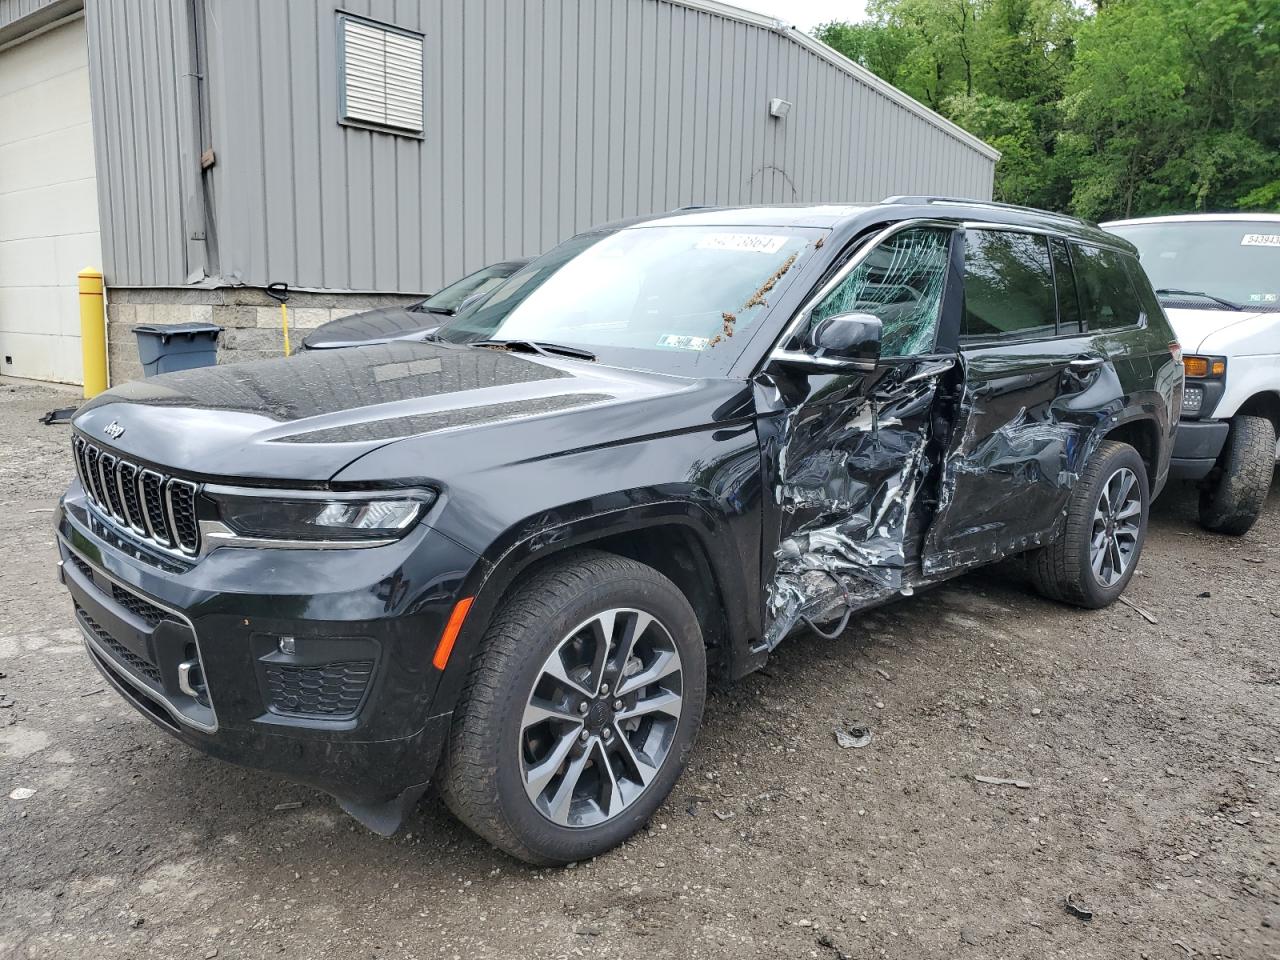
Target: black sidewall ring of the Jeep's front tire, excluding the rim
(548, 840)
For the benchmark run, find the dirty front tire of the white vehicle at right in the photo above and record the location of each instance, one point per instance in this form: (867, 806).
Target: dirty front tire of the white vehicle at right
(1235, 495)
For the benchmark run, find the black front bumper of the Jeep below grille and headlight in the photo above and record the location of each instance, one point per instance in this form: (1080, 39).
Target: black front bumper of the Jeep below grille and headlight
(348, 707)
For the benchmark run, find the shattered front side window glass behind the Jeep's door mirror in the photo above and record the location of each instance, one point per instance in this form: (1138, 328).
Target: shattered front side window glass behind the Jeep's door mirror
(900, 285)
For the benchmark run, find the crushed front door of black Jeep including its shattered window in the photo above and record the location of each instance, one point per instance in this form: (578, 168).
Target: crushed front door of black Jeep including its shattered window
(849, 452)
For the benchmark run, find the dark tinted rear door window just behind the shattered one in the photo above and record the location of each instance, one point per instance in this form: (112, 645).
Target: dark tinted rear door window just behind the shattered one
(1008, 287)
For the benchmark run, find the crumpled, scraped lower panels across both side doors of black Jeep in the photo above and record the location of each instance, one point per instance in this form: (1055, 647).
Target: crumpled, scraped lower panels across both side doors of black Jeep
(857, 484)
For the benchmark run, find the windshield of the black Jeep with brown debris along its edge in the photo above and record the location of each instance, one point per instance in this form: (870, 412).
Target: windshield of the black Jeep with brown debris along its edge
(666, 299)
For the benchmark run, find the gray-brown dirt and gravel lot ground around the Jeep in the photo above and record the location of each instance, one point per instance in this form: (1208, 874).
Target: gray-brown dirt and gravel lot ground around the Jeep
(1151, 751)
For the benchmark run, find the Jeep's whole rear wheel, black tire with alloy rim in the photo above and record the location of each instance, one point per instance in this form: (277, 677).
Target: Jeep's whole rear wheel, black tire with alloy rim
(1066, 570)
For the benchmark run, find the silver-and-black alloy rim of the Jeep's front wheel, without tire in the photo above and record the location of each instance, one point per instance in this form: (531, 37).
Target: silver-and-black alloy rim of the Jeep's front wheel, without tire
(601, 719)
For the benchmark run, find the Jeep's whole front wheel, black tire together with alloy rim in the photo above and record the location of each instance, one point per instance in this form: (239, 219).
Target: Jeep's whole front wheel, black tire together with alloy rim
(496, 758)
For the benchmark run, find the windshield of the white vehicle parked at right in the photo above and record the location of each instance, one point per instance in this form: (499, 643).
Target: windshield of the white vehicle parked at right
(1235, 260)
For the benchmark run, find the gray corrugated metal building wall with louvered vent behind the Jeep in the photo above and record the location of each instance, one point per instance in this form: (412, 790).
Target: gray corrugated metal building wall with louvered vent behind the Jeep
(381, 148)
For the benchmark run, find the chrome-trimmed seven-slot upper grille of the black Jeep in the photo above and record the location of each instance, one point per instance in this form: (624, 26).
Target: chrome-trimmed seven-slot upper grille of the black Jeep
(158, 508)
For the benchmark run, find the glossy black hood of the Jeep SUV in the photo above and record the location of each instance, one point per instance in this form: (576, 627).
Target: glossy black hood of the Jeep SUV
(305, 418)
